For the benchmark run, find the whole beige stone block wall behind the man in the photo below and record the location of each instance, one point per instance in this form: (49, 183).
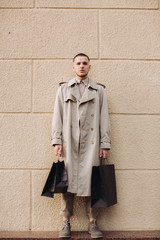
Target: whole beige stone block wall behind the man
(38, 40)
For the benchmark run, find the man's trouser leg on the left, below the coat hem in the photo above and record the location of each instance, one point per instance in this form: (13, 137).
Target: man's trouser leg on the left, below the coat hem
(67, 205)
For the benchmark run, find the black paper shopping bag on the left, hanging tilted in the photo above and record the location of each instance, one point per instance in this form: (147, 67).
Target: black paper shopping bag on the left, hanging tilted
(56, 181)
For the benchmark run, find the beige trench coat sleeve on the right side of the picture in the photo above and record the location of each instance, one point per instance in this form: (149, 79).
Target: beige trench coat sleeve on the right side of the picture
(104, 122)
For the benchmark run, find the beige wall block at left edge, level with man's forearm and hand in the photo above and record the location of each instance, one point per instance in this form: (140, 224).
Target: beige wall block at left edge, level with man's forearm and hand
(25, 141)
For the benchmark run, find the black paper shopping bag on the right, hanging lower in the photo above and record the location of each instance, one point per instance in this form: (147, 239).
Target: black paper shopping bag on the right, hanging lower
(103, 186)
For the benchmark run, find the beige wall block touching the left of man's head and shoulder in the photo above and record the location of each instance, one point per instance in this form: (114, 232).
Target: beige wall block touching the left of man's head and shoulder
(48, 75)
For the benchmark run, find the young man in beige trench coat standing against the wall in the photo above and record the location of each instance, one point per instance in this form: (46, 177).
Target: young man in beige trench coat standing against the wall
(81, 133)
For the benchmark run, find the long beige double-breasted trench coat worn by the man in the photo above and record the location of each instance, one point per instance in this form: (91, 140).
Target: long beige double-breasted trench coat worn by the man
(81, 125)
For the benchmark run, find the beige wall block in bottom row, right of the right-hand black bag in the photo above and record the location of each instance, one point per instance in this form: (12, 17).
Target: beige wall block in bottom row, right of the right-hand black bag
(138, 195)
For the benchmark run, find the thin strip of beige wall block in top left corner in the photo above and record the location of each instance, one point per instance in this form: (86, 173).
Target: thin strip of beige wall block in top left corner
(16, 3)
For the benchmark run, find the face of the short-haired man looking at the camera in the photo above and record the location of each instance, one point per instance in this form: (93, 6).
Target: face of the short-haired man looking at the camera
(81, 67)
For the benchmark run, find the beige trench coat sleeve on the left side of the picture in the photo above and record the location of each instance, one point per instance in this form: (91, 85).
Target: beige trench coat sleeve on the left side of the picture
(57, 119)
